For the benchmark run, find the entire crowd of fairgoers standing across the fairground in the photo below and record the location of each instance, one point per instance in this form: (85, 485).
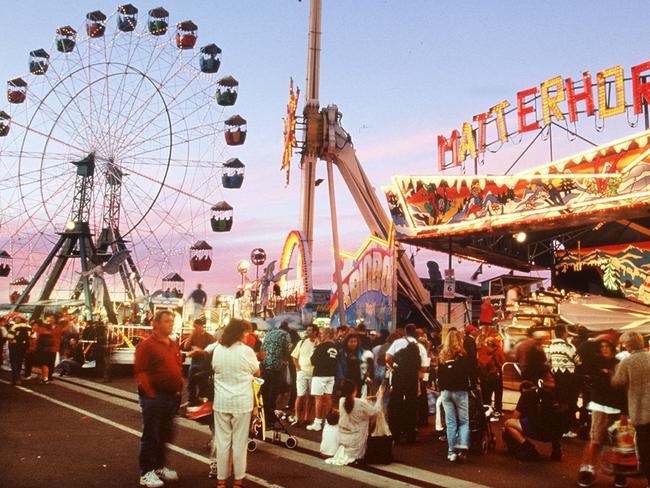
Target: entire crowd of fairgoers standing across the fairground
(336, 381)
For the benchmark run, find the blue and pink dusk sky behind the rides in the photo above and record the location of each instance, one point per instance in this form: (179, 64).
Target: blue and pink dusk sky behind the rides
(401, 72)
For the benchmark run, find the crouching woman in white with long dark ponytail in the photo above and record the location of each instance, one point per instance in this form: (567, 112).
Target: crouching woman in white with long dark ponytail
(354, 420)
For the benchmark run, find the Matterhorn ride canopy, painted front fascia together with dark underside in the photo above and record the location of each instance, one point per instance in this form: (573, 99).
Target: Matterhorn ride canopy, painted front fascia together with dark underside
(596, 198)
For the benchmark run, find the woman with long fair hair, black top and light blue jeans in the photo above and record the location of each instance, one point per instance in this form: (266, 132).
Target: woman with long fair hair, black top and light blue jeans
(455, 379)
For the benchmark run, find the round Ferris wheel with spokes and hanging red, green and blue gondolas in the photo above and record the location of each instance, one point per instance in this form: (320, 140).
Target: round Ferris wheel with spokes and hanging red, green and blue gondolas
(148, 105)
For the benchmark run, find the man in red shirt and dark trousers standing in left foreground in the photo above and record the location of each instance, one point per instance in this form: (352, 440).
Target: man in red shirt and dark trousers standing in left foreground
(160, 382)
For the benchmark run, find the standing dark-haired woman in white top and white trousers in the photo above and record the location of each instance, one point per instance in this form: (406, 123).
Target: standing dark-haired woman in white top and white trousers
(234, 365)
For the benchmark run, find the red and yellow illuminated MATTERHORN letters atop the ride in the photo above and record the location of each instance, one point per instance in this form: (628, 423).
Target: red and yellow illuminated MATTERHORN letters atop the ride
(561, 99)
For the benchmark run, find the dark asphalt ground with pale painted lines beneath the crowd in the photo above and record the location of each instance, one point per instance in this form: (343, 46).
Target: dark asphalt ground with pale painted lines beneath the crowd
(79, 433)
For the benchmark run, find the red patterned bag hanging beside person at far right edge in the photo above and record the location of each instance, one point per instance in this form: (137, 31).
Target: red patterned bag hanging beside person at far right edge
(619, 454)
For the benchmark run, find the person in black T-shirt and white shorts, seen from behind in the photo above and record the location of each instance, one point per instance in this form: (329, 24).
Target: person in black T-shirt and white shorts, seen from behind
(322, 383)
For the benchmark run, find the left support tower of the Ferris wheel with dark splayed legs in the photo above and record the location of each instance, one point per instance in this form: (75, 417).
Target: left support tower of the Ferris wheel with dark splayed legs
(77, 234)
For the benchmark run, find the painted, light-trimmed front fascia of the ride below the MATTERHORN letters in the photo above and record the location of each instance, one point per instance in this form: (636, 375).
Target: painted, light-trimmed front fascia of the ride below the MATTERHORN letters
(610, 177)
